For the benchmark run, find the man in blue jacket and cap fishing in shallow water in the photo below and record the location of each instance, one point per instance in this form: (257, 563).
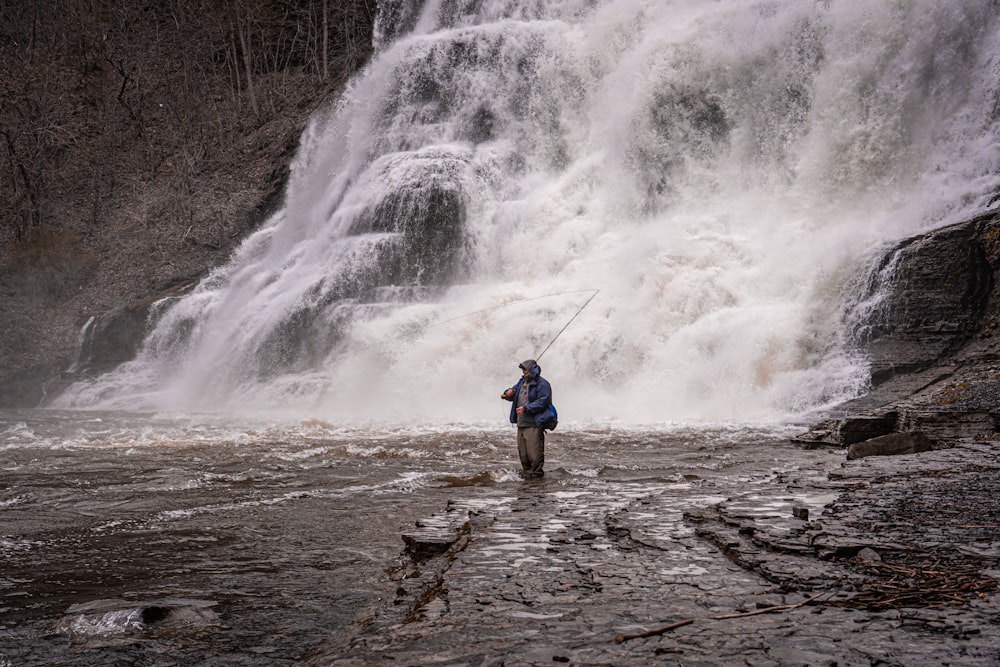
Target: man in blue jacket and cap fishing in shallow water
(531, 398)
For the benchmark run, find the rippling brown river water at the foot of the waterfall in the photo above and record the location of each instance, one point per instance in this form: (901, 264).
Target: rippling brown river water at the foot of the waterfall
(267, 539)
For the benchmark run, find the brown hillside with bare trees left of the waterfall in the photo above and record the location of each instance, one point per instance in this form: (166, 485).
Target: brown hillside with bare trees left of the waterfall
(139, 142)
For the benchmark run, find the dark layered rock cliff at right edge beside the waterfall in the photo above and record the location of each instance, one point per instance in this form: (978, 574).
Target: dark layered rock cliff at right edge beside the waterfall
(930, 327)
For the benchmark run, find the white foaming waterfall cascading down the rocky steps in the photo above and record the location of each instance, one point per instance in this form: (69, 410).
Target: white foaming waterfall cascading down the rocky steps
(719, 170)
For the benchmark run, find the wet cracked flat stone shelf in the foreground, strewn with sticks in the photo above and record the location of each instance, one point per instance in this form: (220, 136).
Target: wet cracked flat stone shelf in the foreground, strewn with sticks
(898, 557)
